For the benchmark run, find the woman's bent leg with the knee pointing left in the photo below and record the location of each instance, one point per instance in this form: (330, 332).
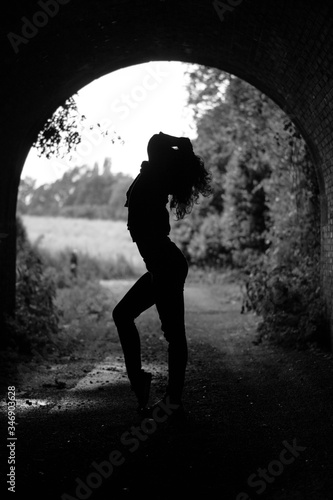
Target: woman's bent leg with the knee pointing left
(139, 298)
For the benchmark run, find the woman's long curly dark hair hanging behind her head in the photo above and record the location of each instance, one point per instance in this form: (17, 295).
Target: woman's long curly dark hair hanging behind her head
(190, 180)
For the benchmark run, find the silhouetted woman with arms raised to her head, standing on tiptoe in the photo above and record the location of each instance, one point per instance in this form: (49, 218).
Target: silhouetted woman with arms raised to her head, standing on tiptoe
(174, 171)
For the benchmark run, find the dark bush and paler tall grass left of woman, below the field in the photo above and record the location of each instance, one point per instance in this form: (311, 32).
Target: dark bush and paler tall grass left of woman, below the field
(55, 309)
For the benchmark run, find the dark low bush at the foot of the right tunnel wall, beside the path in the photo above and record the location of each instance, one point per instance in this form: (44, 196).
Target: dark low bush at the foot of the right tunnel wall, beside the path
(289, 302)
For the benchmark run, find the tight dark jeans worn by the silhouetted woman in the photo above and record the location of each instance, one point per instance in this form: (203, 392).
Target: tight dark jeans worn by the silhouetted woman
(162, 285)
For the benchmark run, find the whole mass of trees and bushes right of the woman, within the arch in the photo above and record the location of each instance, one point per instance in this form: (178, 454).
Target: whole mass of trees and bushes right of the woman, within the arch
(264, 217)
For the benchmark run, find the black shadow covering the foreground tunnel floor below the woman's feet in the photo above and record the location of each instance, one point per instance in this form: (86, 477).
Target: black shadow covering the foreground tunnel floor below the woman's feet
(230, 447)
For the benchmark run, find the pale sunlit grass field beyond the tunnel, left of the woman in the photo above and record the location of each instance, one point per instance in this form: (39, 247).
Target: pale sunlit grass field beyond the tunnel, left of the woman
(98, 238)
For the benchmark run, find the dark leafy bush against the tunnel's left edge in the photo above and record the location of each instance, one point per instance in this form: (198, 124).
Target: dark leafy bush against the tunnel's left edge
(35, 324)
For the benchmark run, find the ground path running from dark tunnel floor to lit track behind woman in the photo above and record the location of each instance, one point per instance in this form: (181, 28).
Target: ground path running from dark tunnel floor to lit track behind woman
(259, 416)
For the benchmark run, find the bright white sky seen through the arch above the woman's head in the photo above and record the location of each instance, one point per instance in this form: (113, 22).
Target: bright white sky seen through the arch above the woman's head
(136, 102)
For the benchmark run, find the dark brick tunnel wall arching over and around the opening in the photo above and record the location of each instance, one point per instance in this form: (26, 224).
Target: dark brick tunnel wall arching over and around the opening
(283, 47)
